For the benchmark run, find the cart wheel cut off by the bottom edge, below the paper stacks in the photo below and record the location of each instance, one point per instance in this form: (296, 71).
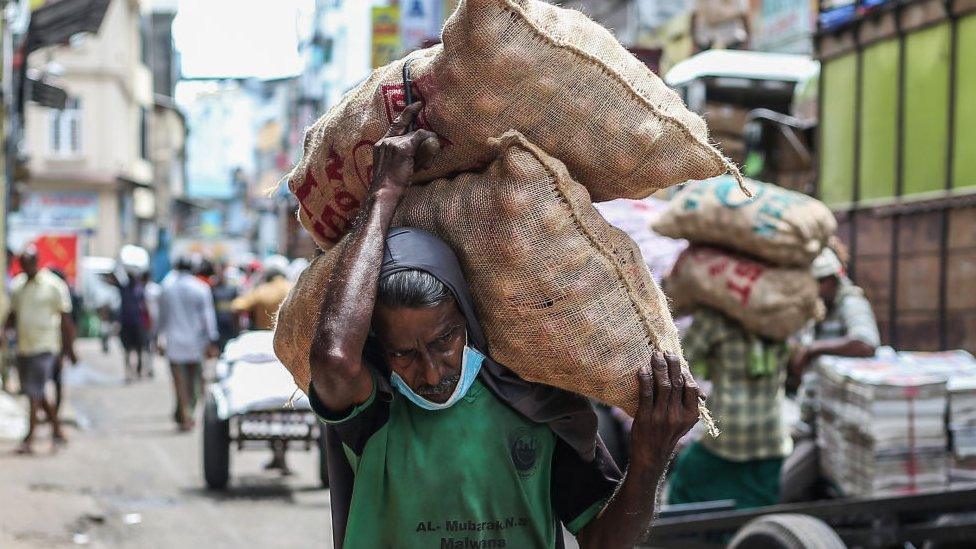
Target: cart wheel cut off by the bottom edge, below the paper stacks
(786, 531)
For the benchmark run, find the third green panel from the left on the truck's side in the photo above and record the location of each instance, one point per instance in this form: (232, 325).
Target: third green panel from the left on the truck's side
(926, 109)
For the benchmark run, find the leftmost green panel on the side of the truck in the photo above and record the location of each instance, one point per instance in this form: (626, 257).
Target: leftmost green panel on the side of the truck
(837, 130)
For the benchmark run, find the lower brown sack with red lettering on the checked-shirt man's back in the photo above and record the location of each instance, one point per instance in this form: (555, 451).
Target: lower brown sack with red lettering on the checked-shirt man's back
(774, 302)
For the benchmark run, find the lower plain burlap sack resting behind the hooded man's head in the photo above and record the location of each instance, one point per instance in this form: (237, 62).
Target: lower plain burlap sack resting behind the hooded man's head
(564, 297)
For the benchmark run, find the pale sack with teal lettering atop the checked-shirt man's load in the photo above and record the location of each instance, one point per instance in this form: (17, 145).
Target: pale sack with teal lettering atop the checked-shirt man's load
(778, 225)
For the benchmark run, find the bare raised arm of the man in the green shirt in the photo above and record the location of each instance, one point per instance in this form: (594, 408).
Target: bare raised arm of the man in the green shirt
(339, 376)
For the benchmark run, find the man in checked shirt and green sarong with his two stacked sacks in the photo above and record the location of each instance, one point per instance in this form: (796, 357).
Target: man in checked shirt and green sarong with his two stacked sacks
(744, 309)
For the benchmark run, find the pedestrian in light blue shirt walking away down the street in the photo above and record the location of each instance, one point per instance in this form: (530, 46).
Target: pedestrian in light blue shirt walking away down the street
(188, 325)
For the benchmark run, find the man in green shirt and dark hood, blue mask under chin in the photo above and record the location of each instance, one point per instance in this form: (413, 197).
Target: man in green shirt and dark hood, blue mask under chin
(433, 443)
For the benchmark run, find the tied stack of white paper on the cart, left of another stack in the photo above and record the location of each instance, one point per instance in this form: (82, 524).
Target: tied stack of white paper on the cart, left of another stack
(882, 425)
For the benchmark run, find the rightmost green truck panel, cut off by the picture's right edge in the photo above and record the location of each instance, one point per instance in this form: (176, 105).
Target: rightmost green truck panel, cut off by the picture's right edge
(964, 153)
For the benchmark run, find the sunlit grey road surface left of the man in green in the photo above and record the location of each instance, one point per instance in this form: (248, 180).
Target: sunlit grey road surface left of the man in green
(128, 479)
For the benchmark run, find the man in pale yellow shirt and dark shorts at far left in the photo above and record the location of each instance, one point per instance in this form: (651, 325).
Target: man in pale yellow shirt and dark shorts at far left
(41, 315)
